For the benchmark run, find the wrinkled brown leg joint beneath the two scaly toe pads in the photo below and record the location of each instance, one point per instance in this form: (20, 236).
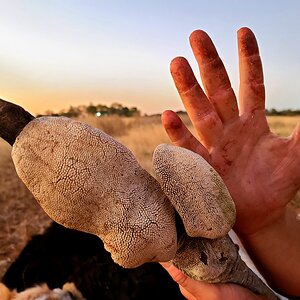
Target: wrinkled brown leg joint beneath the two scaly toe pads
(217, 261)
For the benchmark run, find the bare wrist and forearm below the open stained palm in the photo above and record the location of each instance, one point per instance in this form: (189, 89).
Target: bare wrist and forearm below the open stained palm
(275, 251)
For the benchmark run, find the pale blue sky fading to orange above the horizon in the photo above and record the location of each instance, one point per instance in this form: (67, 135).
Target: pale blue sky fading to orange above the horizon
(57, 53)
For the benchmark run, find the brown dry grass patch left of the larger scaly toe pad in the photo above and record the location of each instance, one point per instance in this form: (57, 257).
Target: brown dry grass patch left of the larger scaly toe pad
(20, 215)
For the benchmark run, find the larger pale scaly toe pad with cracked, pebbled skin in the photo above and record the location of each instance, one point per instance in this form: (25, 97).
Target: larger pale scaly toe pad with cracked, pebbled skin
(85, 180)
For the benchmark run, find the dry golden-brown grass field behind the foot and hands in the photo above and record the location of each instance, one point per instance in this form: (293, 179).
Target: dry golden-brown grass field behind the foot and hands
(21, 217)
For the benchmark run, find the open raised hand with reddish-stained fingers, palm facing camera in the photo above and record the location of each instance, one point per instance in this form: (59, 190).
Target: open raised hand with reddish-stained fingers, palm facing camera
(260, 169)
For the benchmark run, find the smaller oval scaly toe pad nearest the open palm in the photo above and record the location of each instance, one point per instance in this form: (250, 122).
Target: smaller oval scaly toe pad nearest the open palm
(196, 191)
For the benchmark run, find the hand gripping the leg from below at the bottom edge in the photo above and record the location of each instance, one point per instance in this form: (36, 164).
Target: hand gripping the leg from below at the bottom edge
(197, 290)
